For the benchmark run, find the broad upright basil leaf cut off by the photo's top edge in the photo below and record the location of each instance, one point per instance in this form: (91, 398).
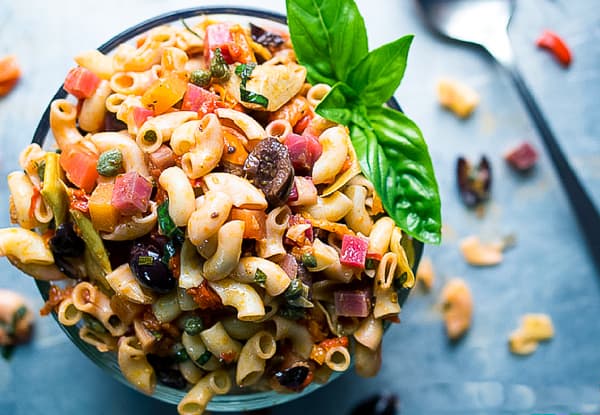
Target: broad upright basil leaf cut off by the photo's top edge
(329, 37)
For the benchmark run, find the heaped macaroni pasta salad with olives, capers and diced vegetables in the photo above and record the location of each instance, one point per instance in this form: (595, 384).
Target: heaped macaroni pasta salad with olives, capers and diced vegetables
(194, 213)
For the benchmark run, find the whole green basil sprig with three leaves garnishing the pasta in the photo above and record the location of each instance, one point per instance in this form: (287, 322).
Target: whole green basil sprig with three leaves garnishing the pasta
(330, 40)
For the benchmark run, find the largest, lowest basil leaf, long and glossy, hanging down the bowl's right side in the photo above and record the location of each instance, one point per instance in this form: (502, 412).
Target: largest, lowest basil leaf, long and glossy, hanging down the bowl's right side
(394, 157)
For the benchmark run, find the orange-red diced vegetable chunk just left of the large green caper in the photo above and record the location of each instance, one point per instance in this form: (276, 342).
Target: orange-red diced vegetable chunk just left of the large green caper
(79, 164)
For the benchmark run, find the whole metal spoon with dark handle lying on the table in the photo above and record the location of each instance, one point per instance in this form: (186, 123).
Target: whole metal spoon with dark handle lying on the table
(485, 23)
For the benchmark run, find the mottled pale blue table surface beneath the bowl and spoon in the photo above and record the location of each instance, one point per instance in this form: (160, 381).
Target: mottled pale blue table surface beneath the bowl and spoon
(547, 271)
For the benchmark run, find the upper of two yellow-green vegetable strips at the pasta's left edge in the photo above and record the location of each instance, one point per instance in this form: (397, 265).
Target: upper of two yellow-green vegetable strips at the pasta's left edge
(53, 189)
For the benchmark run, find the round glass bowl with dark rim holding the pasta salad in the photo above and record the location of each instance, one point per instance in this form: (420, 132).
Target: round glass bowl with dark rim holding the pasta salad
(108, 361)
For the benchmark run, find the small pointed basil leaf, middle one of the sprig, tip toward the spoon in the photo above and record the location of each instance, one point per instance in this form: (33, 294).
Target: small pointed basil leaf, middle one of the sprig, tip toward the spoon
(378, 75)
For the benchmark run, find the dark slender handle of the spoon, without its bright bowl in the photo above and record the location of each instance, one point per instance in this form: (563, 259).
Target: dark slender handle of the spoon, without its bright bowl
(585, 211)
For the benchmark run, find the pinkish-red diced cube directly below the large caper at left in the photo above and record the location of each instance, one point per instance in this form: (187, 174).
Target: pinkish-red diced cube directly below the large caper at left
(131, 193)
